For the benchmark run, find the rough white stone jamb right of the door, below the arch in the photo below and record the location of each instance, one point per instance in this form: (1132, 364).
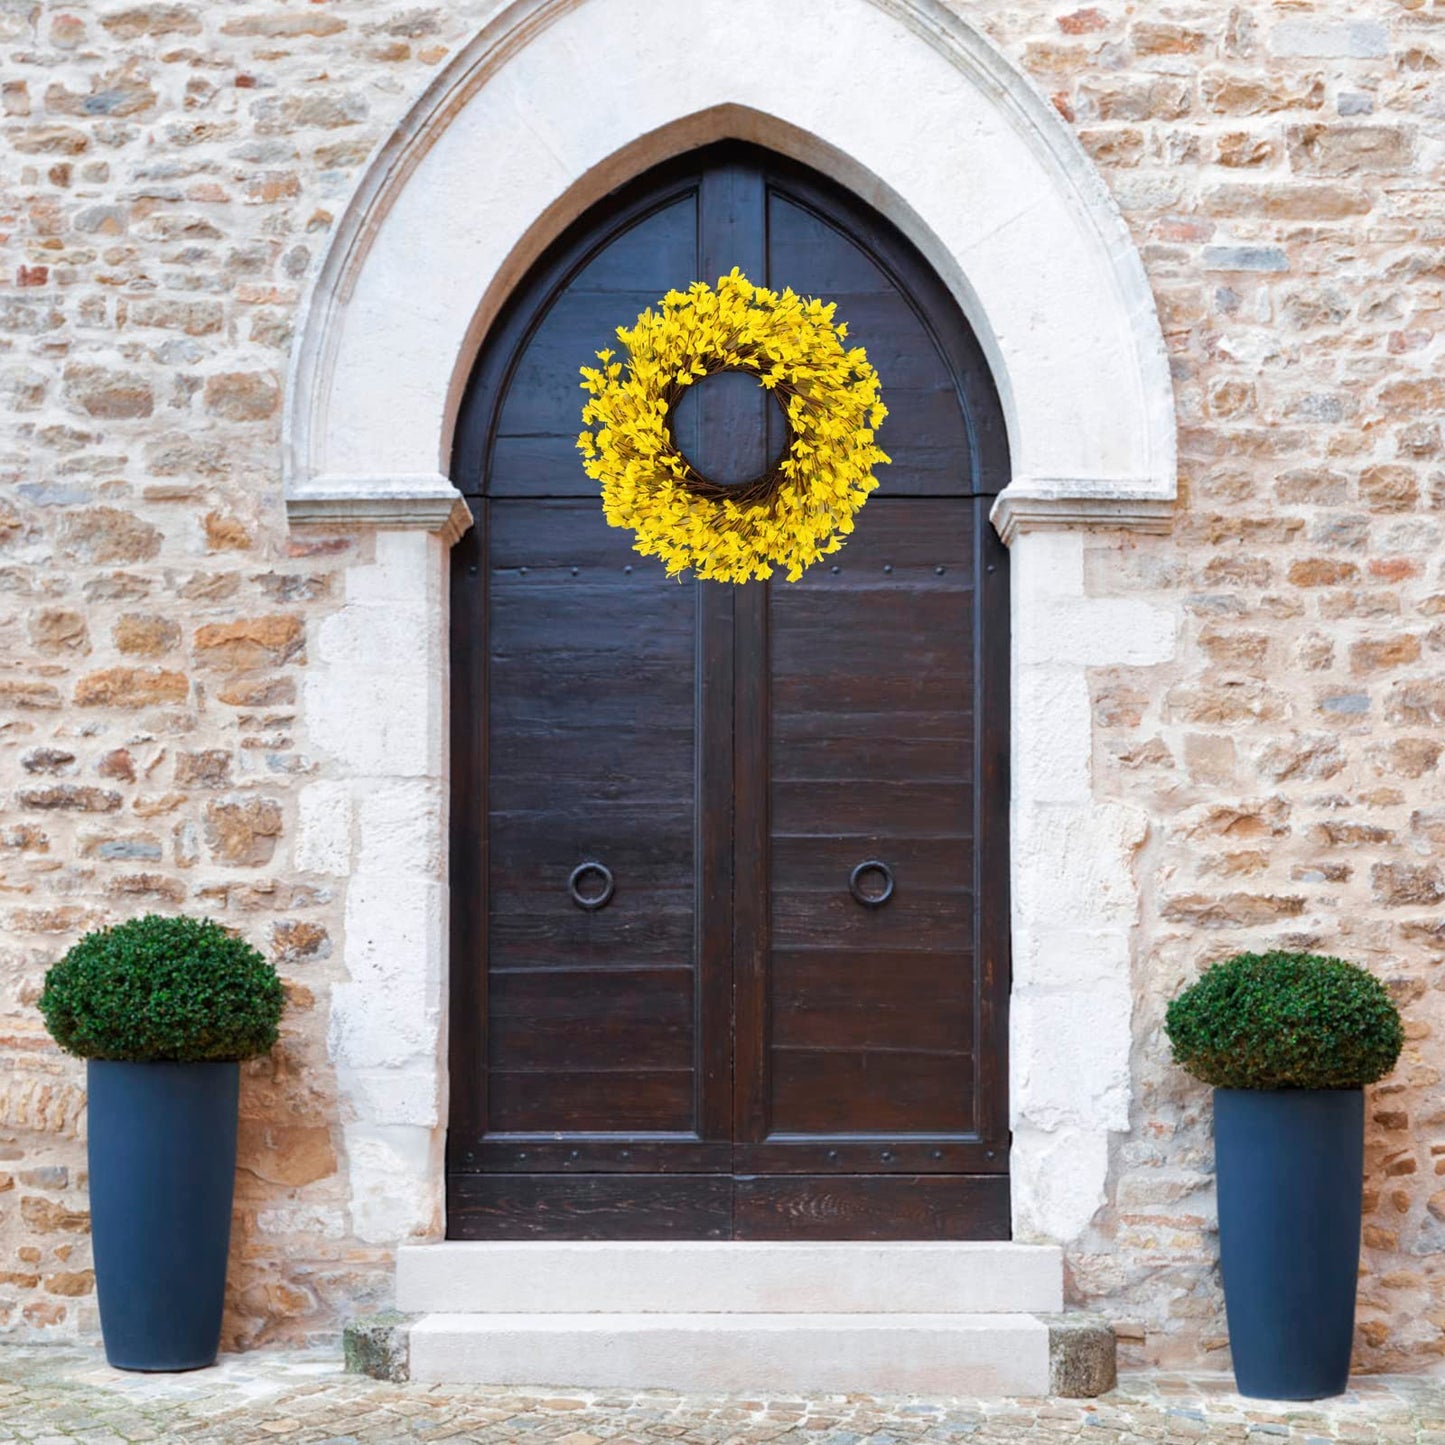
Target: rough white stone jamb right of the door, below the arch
(1076, 901)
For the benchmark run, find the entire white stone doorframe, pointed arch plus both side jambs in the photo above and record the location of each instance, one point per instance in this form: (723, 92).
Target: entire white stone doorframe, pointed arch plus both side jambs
(551, 106)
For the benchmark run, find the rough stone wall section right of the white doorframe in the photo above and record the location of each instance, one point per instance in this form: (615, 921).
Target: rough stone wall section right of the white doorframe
(1284, 173)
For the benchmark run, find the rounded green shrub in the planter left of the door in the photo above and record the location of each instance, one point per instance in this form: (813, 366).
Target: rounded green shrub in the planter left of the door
(163, 989)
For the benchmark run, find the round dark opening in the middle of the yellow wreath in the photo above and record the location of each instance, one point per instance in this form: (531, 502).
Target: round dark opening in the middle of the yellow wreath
(730, 428)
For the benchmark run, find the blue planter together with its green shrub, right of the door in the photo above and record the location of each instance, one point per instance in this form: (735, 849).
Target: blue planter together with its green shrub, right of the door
(1288, 1041)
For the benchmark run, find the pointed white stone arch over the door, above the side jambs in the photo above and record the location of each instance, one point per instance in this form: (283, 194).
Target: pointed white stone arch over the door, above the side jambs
(558, 100)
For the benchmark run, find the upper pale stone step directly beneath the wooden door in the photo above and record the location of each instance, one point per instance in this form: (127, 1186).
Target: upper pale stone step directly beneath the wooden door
(735, 1277)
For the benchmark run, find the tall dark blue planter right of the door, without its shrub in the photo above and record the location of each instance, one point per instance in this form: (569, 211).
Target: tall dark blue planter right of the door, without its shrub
(1291, 1173)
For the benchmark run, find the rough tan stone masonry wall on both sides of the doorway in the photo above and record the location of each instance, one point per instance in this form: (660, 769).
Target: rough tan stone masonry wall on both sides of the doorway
(168, 181)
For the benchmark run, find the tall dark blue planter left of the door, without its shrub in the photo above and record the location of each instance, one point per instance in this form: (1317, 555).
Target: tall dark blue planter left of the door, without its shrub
(163, 1164)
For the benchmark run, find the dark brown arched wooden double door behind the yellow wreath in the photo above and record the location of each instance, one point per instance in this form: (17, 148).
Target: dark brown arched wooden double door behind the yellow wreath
(728, 1034)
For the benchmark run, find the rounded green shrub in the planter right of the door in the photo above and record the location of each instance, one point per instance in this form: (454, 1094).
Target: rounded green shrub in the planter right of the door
(1285, 1021)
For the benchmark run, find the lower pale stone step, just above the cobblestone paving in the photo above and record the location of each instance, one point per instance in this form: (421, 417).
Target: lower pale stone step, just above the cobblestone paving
(775, 1353)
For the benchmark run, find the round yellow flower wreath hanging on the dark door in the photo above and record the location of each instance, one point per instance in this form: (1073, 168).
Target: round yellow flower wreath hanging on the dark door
(788, 519)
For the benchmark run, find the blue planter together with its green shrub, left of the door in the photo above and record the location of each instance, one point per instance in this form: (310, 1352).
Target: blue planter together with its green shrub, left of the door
(164, 1011)
